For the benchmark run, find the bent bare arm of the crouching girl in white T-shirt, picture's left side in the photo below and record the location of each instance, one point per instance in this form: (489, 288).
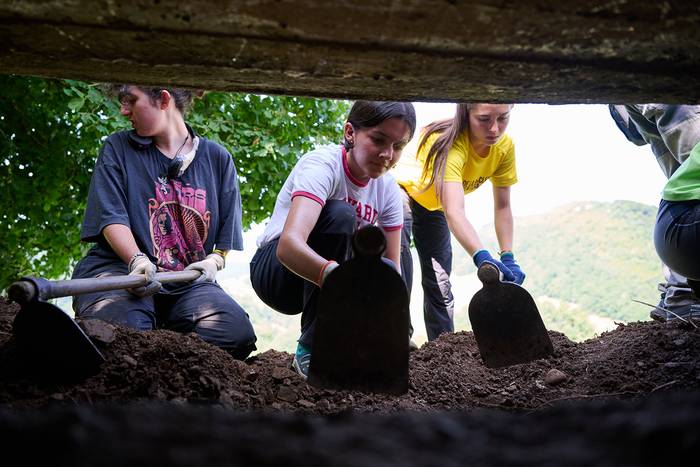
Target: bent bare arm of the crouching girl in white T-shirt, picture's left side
(292, 250)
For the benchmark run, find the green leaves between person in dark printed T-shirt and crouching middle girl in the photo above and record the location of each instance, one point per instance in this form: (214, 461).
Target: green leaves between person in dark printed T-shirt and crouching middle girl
(266, 135)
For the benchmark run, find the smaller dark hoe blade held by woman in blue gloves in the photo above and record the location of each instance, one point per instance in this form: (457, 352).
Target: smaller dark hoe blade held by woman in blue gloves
(507, 326)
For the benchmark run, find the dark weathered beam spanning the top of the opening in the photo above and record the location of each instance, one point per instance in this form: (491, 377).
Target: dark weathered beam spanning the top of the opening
(562, 51)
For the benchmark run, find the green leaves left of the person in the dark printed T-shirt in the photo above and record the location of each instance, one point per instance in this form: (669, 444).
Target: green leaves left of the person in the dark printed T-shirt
(49, 137)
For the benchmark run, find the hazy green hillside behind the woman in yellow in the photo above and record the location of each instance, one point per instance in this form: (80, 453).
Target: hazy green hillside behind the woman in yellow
(596, 255)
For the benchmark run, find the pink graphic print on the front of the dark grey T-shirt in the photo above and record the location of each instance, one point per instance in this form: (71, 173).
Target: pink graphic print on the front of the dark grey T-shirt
(179, 224)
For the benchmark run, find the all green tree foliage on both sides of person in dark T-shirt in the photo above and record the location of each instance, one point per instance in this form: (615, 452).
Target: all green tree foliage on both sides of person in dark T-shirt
(51, 132)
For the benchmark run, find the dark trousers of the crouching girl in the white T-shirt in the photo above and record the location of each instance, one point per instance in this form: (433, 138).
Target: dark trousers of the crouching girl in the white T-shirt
(284, 291)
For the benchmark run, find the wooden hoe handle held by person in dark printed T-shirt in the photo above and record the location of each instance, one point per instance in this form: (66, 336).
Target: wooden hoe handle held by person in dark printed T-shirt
(35, 288)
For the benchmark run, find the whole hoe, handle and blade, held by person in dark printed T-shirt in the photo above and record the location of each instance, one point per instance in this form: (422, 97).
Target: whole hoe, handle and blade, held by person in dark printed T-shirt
(51, 340)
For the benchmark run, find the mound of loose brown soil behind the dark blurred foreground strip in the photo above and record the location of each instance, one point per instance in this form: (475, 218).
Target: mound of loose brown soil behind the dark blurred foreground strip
(631, 362)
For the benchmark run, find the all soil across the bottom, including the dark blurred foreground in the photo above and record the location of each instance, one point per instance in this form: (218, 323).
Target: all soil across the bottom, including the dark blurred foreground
(628, 397)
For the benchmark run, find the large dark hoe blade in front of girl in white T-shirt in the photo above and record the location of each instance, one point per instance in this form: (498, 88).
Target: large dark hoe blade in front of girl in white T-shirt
(361, 334)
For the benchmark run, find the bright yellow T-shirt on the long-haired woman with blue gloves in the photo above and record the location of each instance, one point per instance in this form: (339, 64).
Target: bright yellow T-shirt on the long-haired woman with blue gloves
(463, 165)
